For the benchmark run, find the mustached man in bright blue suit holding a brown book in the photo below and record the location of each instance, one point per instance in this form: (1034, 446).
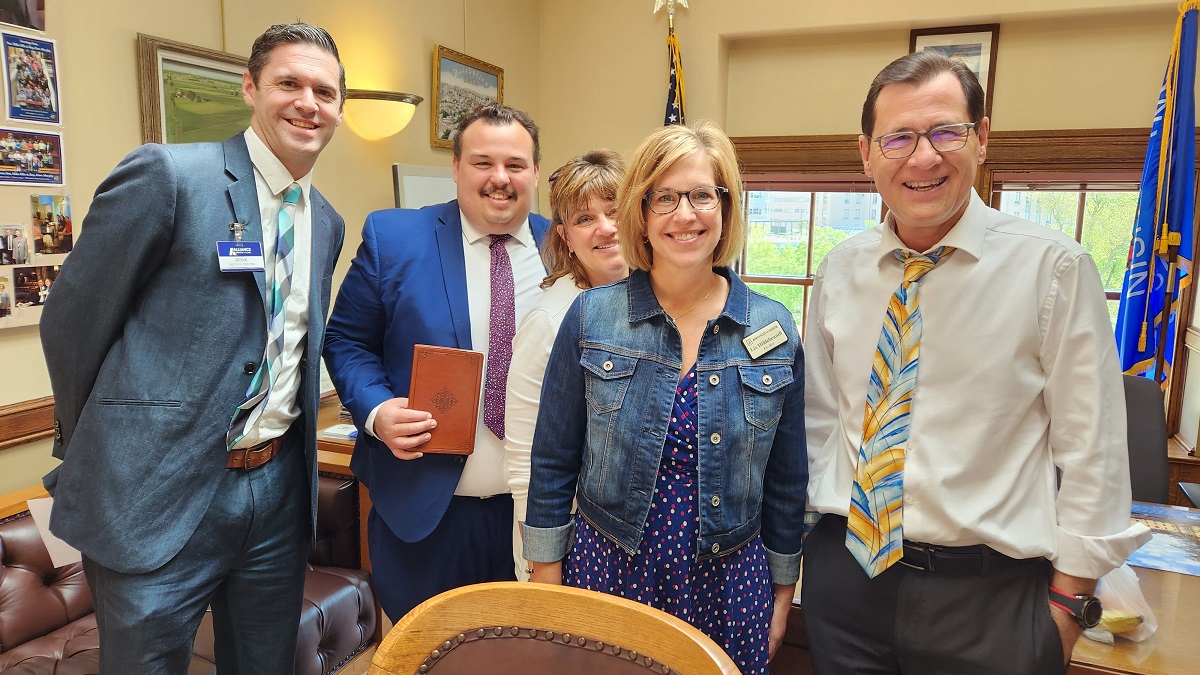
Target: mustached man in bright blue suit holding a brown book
(425, 278)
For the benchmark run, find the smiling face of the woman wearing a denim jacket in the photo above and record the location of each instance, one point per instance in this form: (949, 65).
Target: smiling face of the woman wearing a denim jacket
(686, 238)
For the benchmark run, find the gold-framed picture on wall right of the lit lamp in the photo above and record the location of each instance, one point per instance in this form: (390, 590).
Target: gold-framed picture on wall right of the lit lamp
(460, 83)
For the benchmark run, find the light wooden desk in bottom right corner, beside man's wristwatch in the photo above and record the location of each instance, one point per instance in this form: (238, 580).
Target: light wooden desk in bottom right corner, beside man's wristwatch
(1173, 650)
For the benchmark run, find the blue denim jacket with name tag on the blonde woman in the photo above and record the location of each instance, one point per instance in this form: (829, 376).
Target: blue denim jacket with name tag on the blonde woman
(603, 423)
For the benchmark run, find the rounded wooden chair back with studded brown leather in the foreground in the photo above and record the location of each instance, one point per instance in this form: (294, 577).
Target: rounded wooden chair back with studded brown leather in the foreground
(509, 629)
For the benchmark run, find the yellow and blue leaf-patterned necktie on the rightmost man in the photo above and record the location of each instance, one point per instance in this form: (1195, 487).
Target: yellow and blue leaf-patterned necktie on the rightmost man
(874, 528)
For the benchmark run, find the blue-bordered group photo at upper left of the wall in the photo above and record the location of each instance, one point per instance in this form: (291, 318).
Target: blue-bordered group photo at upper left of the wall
(32, 80)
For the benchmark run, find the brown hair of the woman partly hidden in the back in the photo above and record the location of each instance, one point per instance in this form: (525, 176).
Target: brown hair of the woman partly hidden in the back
(595, 175)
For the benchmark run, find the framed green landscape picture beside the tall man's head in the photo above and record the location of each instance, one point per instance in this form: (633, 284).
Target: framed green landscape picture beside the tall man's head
(189, 94)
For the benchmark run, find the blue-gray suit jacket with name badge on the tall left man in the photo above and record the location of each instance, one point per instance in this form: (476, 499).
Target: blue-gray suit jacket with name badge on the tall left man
(148, 347)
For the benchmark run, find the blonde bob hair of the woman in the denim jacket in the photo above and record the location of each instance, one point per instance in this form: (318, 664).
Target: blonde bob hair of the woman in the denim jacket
(656, 157)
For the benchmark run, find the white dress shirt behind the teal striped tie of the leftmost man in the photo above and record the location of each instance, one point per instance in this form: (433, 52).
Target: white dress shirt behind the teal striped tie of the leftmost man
(272, 181)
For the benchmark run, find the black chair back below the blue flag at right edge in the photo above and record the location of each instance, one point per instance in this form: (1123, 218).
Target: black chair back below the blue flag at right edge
(1149, 470)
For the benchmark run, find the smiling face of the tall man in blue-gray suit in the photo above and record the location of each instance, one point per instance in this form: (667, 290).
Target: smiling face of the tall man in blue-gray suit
(296, 104)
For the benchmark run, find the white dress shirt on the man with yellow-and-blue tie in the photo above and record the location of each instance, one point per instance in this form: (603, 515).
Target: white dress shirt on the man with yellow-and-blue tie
(1019, 378)
